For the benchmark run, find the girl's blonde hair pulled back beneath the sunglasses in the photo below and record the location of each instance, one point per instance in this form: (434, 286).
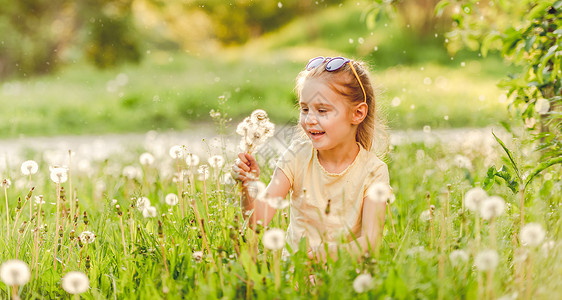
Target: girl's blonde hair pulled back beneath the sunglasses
(371, 133)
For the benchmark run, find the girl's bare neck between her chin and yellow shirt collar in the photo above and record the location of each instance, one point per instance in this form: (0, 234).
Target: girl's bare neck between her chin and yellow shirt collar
(337, 159)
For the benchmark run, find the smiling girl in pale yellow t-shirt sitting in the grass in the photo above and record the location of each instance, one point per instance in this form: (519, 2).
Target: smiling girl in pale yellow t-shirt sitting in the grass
(329, 170)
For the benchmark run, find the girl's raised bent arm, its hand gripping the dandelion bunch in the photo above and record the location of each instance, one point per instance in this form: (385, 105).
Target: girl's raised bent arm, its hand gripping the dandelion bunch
(278, 187)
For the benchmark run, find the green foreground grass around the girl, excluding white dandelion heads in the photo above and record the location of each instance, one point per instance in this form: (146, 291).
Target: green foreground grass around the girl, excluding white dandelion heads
(407, 266)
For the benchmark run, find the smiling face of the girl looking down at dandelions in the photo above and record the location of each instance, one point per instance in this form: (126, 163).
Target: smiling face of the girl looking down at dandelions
(326, 116)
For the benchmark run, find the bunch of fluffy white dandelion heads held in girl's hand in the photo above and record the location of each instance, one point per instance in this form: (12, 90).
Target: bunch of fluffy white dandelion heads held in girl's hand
(255, 130)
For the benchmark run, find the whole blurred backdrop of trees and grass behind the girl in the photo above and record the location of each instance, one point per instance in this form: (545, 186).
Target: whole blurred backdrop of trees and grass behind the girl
(118, 66)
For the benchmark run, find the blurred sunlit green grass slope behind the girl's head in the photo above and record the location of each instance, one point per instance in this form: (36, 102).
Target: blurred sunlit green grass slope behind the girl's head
(176, 90)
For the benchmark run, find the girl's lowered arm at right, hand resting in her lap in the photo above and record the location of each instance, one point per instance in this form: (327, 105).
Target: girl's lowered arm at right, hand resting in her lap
(372, 225)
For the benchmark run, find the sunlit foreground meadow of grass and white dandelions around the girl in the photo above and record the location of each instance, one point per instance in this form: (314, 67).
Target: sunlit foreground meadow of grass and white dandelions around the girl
(158, 223)
